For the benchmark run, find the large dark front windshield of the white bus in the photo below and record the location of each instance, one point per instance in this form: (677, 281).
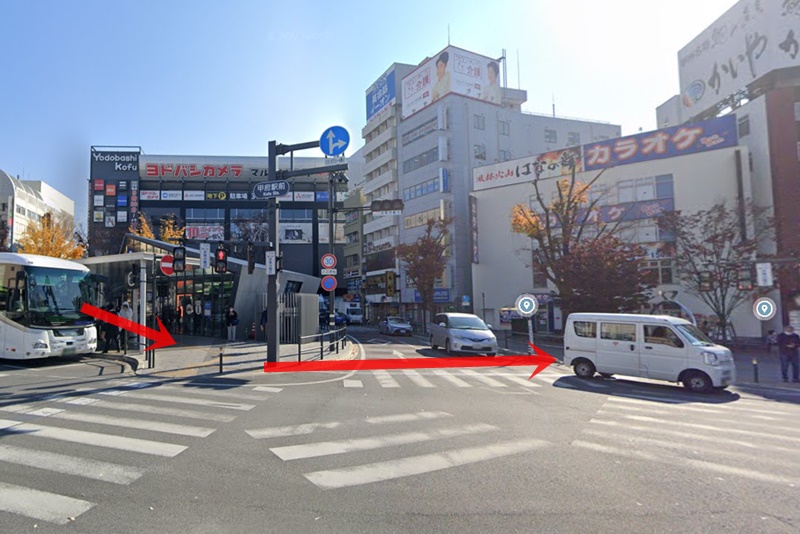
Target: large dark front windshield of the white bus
(55, 297)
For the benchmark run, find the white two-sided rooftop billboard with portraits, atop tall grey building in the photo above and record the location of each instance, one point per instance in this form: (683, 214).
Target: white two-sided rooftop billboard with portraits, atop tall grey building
(453, 70)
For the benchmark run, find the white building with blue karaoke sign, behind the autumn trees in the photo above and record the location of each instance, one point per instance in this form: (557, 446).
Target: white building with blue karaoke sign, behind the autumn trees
(636, 191)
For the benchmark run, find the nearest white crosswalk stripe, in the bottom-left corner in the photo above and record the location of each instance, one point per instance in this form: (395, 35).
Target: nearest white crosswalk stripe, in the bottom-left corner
(41, 505)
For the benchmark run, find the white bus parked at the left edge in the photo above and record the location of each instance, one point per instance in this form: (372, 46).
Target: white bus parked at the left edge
(40, 303)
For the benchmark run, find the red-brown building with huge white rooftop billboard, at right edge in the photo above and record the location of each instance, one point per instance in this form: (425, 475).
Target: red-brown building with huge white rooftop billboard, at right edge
(747, 62)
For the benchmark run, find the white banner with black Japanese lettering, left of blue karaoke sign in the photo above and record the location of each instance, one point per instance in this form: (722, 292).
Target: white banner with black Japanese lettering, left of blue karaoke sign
(548, 165)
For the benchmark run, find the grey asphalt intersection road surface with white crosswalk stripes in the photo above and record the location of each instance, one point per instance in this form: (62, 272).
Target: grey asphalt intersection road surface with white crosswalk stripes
(85, 448)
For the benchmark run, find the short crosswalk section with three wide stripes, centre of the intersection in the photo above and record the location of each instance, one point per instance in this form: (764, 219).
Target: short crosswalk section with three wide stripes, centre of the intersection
(358, 438)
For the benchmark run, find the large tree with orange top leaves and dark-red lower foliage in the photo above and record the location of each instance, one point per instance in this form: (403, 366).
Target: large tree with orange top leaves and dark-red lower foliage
(570, 223)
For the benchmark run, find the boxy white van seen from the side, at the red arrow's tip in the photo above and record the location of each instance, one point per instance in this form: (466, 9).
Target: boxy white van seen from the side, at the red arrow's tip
(659, 347)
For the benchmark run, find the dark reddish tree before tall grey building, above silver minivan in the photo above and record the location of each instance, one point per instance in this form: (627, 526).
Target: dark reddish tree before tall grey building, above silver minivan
(425, 260)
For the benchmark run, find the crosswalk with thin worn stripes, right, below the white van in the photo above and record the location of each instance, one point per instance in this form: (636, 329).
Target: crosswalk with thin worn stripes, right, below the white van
(748, 438)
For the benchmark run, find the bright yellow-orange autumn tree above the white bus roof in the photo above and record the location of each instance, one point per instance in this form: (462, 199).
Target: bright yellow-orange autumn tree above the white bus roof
(52, 236)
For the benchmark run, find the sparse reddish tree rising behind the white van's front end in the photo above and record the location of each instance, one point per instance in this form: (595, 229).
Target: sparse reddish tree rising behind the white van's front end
(722, 241)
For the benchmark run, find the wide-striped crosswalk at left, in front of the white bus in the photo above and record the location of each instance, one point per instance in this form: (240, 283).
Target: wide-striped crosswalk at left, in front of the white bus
(72, 436)
